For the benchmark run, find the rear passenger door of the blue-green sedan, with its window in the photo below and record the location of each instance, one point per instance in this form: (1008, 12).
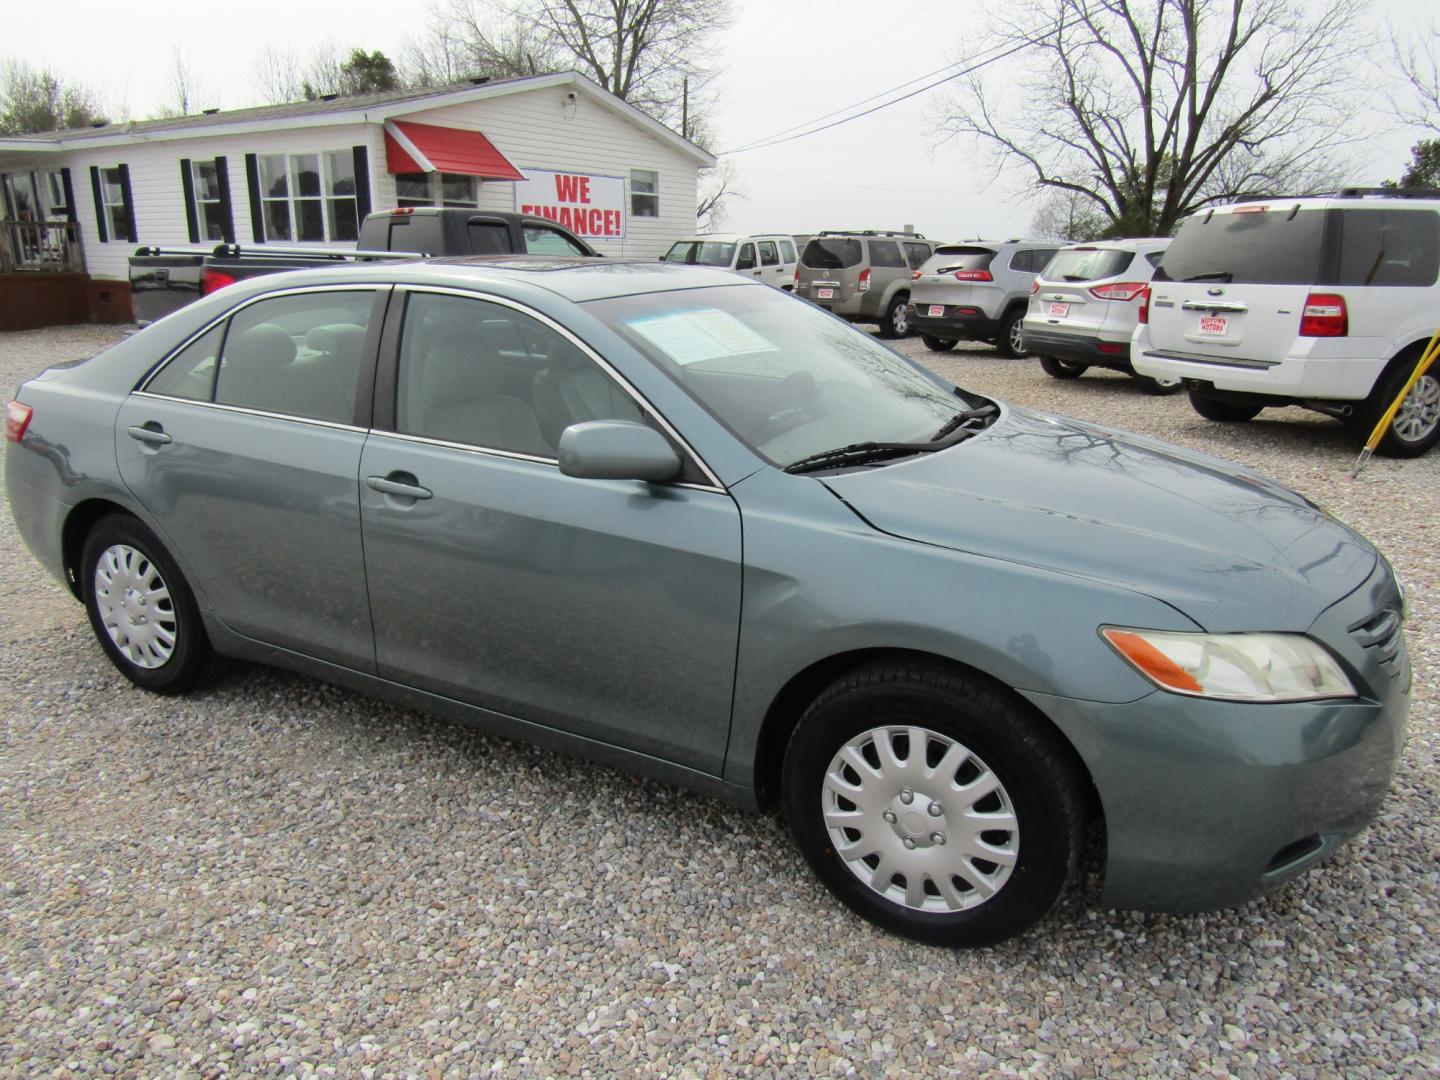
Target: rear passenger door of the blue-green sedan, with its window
(246, 449)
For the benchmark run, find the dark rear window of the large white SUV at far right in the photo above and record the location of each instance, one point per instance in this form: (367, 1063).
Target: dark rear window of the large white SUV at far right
(1271, 246)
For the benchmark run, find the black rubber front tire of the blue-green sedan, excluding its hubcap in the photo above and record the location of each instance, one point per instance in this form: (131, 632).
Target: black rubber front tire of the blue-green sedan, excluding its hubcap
(1030, 762)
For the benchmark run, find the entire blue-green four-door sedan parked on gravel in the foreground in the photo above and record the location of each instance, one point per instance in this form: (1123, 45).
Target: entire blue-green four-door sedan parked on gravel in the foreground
(672, 521)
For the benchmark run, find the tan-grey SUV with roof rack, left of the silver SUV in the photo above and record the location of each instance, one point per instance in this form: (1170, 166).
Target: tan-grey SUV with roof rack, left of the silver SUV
(863, 277)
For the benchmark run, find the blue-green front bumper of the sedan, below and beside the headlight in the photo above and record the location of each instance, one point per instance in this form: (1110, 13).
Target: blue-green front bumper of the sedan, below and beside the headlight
(1209, 804)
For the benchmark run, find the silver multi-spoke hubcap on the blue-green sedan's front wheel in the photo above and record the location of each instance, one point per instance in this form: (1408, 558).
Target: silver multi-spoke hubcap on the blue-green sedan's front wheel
(921, 820)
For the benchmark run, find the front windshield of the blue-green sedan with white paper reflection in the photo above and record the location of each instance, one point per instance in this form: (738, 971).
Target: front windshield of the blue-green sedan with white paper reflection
(786, 378)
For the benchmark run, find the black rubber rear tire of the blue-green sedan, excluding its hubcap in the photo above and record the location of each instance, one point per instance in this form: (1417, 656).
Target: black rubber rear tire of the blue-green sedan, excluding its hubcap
(191, 656)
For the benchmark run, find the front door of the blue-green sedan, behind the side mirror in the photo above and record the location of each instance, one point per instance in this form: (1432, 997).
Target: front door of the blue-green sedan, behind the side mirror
(603, 608)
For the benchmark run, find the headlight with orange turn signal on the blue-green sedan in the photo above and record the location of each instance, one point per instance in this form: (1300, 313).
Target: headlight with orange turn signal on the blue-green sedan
(1233, 667)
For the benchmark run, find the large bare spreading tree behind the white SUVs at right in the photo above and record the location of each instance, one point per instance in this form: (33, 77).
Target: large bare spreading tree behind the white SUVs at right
(1151, 109)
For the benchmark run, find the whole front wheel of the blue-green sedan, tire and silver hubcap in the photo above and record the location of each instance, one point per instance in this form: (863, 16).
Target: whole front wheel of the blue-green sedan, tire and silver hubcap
(934, 806)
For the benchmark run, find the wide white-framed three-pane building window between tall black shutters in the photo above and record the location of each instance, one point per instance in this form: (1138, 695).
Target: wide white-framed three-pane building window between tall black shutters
(310, 197)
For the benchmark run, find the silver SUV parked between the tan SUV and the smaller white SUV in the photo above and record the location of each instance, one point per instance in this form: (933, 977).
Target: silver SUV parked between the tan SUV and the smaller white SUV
(977, 292)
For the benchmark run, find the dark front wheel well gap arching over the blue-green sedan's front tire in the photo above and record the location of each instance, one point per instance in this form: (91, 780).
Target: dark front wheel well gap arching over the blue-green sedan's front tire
(796, 698)
